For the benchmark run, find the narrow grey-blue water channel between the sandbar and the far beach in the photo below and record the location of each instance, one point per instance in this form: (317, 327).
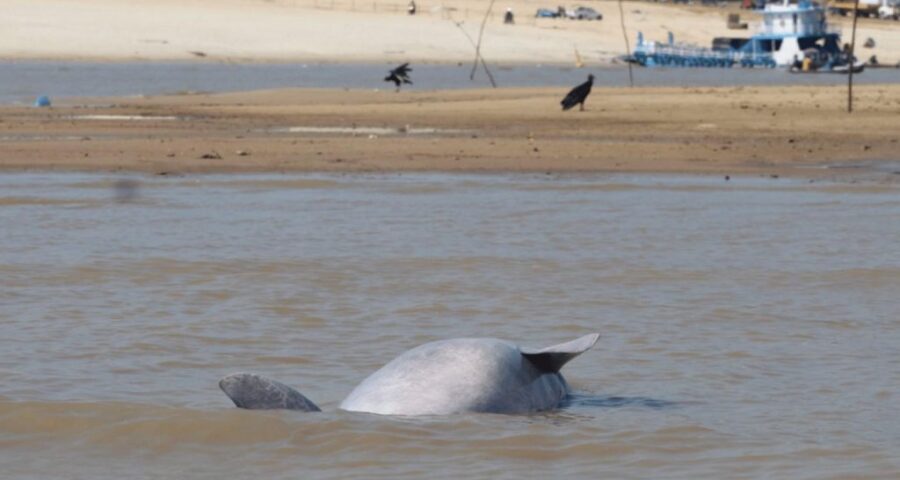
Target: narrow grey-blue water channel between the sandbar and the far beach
(22, 81)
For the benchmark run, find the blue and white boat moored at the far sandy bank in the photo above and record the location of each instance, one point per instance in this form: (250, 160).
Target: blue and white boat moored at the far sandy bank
(788, 33)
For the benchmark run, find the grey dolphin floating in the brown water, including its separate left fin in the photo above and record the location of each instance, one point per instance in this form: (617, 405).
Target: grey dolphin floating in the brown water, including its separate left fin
(438, 378)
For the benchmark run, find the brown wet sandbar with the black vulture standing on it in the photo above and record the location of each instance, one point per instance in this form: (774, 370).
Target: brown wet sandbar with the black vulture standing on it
(794, 131)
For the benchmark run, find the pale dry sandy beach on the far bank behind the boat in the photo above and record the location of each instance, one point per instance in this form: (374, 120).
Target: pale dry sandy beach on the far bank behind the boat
(362, 30)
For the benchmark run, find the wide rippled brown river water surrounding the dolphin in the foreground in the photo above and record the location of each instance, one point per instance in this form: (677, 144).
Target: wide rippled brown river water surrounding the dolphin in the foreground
(749, 327)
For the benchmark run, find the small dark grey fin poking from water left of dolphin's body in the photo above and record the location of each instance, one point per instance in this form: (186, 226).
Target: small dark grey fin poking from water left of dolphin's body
(255, 392)
